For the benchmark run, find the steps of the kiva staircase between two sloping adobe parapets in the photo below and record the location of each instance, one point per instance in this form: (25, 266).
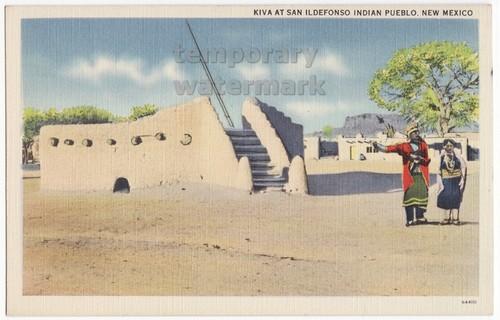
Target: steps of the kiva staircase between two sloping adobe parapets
(264, 175)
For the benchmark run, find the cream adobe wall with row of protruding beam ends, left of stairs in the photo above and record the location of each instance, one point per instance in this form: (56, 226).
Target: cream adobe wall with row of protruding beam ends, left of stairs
(208, 158)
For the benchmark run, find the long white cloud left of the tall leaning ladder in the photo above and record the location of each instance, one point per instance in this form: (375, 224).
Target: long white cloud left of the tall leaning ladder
(131, 69)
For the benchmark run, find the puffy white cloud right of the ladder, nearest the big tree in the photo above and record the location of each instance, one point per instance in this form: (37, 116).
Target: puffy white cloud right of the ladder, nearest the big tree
(324, 62)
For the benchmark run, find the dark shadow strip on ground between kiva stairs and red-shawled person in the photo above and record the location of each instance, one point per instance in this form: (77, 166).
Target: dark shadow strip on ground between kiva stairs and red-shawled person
(354, 183)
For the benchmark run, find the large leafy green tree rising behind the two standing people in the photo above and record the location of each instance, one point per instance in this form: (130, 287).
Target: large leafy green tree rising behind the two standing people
(435, 84)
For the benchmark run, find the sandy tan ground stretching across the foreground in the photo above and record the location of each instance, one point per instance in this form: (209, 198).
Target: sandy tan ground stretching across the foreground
(194, 239)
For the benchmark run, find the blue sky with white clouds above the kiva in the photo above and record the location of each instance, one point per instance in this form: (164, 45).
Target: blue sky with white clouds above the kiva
(120, 63)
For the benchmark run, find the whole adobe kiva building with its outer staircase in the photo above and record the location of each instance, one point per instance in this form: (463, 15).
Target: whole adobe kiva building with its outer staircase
(183, 143)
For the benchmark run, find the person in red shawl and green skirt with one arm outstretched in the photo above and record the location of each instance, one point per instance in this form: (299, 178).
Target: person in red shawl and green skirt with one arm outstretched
(415, 174)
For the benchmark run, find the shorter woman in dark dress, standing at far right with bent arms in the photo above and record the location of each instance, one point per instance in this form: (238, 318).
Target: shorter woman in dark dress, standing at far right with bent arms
(451, 181)
